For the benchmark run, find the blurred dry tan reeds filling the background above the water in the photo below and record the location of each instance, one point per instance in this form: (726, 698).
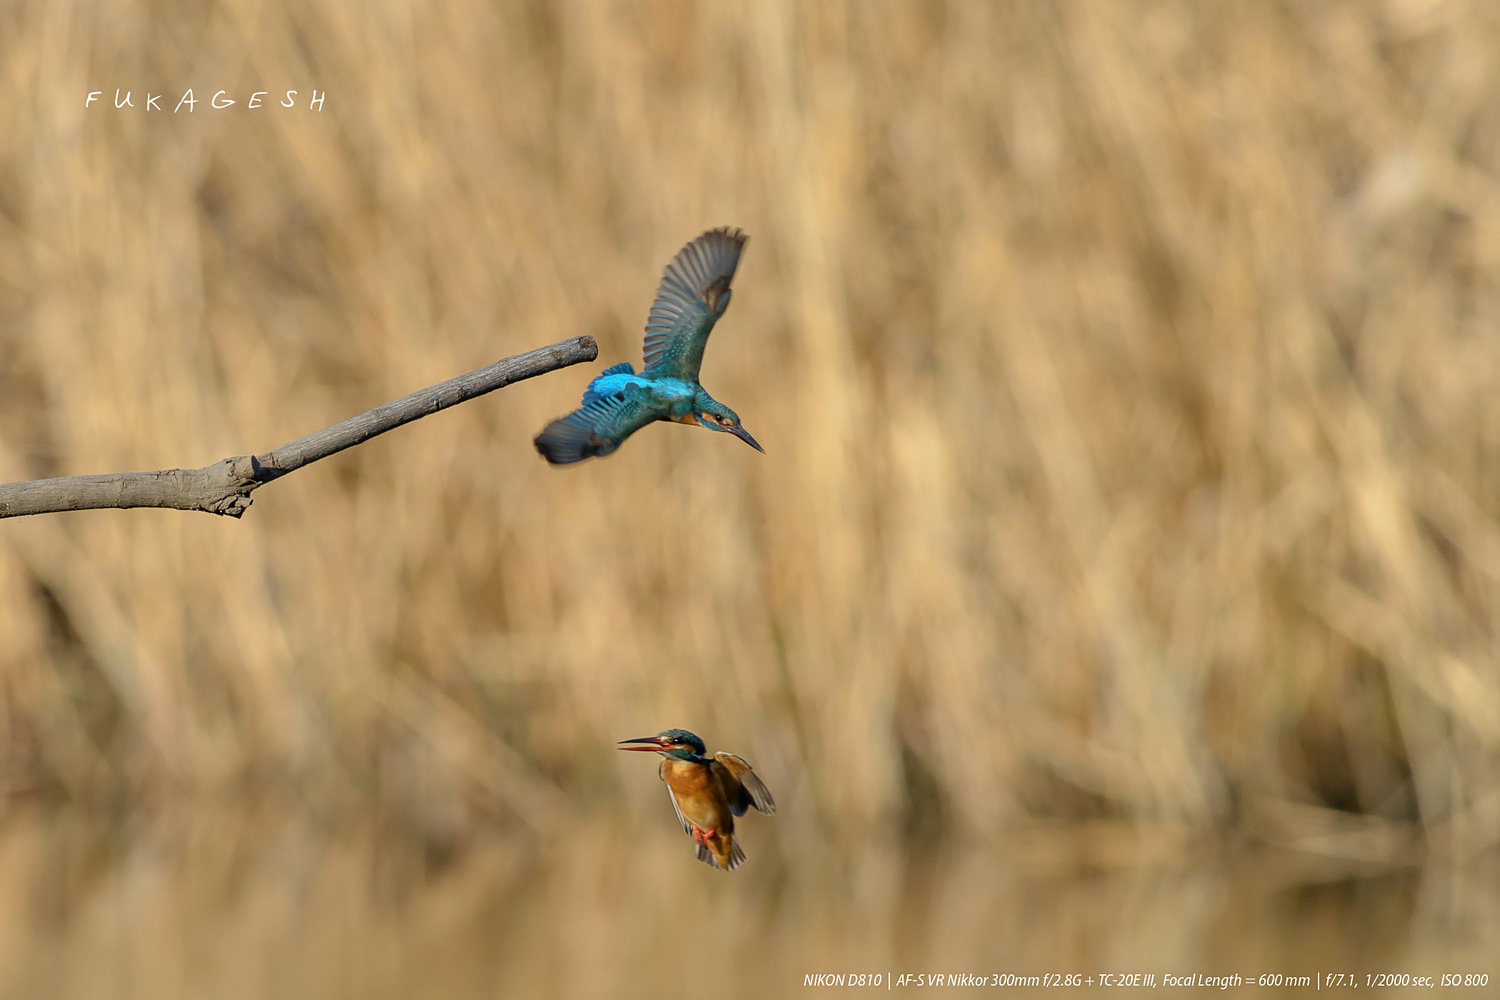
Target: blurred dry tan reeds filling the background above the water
(1129, 377)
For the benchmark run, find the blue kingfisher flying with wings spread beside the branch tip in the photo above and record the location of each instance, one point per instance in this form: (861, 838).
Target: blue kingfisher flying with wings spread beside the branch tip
(692, 296)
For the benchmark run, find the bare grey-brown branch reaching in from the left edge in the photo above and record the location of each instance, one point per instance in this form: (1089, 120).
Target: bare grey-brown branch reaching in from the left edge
(226, 487)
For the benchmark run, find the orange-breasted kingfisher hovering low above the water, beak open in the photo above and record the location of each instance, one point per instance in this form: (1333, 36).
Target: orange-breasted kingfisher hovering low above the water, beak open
(707, 792)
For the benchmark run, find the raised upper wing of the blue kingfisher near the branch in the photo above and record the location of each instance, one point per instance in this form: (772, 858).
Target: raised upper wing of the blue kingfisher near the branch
(691, 299)
